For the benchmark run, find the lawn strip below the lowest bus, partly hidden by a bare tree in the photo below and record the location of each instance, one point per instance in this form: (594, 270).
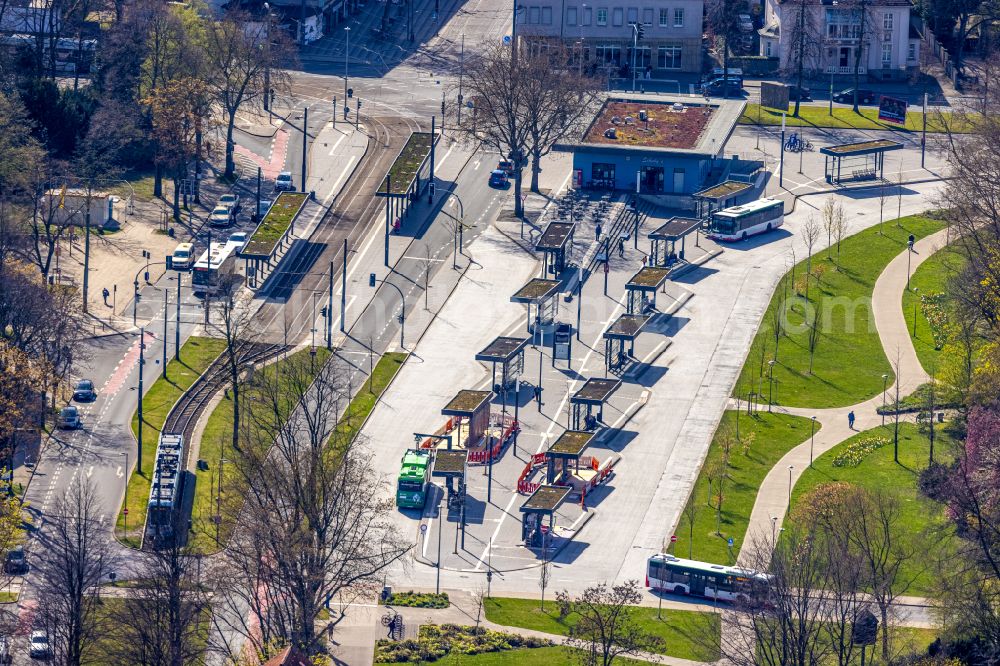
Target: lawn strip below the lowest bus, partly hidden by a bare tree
(686, 634)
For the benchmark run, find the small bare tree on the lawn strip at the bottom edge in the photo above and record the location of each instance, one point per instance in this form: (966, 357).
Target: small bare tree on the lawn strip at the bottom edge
(607, 627)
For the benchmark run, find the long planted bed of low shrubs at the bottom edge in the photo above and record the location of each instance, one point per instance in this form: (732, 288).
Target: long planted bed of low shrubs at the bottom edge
(438, 641)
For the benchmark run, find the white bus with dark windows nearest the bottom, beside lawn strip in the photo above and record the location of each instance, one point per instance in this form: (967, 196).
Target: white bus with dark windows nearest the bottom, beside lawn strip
(667, 573)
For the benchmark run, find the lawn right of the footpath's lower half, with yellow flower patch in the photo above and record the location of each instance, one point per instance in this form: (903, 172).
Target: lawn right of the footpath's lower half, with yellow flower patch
(878, 471)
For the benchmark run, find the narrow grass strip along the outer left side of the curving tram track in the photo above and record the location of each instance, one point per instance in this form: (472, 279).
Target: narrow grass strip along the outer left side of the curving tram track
(195, 357)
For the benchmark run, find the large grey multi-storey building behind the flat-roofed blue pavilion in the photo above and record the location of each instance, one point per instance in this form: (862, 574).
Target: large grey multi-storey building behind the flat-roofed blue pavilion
(600, 31)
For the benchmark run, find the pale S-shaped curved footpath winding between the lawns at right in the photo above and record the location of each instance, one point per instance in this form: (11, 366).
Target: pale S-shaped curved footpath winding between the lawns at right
(887, 298)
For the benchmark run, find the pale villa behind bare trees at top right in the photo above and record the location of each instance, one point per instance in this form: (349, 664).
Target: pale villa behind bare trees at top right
(834, 33)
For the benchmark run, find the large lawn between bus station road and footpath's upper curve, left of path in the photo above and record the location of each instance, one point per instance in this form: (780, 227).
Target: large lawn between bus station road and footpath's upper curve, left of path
(849, 360)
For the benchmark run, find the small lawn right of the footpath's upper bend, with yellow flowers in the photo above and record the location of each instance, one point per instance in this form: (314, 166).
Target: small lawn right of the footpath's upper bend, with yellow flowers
(928, 287)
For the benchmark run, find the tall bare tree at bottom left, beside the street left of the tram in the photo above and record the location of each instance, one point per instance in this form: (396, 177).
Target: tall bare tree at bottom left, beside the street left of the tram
(75, 555)
